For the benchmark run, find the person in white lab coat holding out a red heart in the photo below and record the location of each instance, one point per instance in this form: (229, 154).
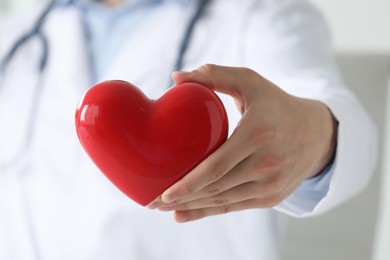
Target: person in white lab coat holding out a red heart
(301, 145)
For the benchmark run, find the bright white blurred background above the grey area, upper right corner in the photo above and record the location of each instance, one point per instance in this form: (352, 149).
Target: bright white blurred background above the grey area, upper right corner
(358, 26)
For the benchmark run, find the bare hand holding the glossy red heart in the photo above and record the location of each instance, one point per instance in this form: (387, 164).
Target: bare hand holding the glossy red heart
(280, 141)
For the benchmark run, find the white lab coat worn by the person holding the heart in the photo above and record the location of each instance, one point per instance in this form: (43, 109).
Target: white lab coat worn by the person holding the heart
(55, 204)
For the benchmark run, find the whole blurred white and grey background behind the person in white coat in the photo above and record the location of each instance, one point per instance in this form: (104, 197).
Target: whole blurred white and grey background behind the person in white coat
(359, 229)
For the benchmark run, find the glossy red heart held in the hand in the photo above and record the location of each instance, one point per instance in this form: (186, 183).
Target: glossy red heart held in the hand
(144, 146)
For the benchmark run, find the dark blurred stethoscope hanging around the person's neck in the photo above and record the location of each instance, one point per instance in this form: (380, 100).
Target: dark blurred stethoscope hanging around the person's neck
(37, 32)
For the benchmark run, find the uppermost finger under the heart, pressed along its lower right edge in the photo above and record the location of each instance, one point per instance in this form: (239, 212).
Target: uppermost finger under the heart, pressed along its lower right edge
(213, 168)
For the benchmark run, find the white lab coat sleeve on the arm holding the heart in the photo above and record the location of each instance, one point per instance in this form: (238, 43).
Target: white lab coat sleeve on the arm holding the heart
(288, 42)
